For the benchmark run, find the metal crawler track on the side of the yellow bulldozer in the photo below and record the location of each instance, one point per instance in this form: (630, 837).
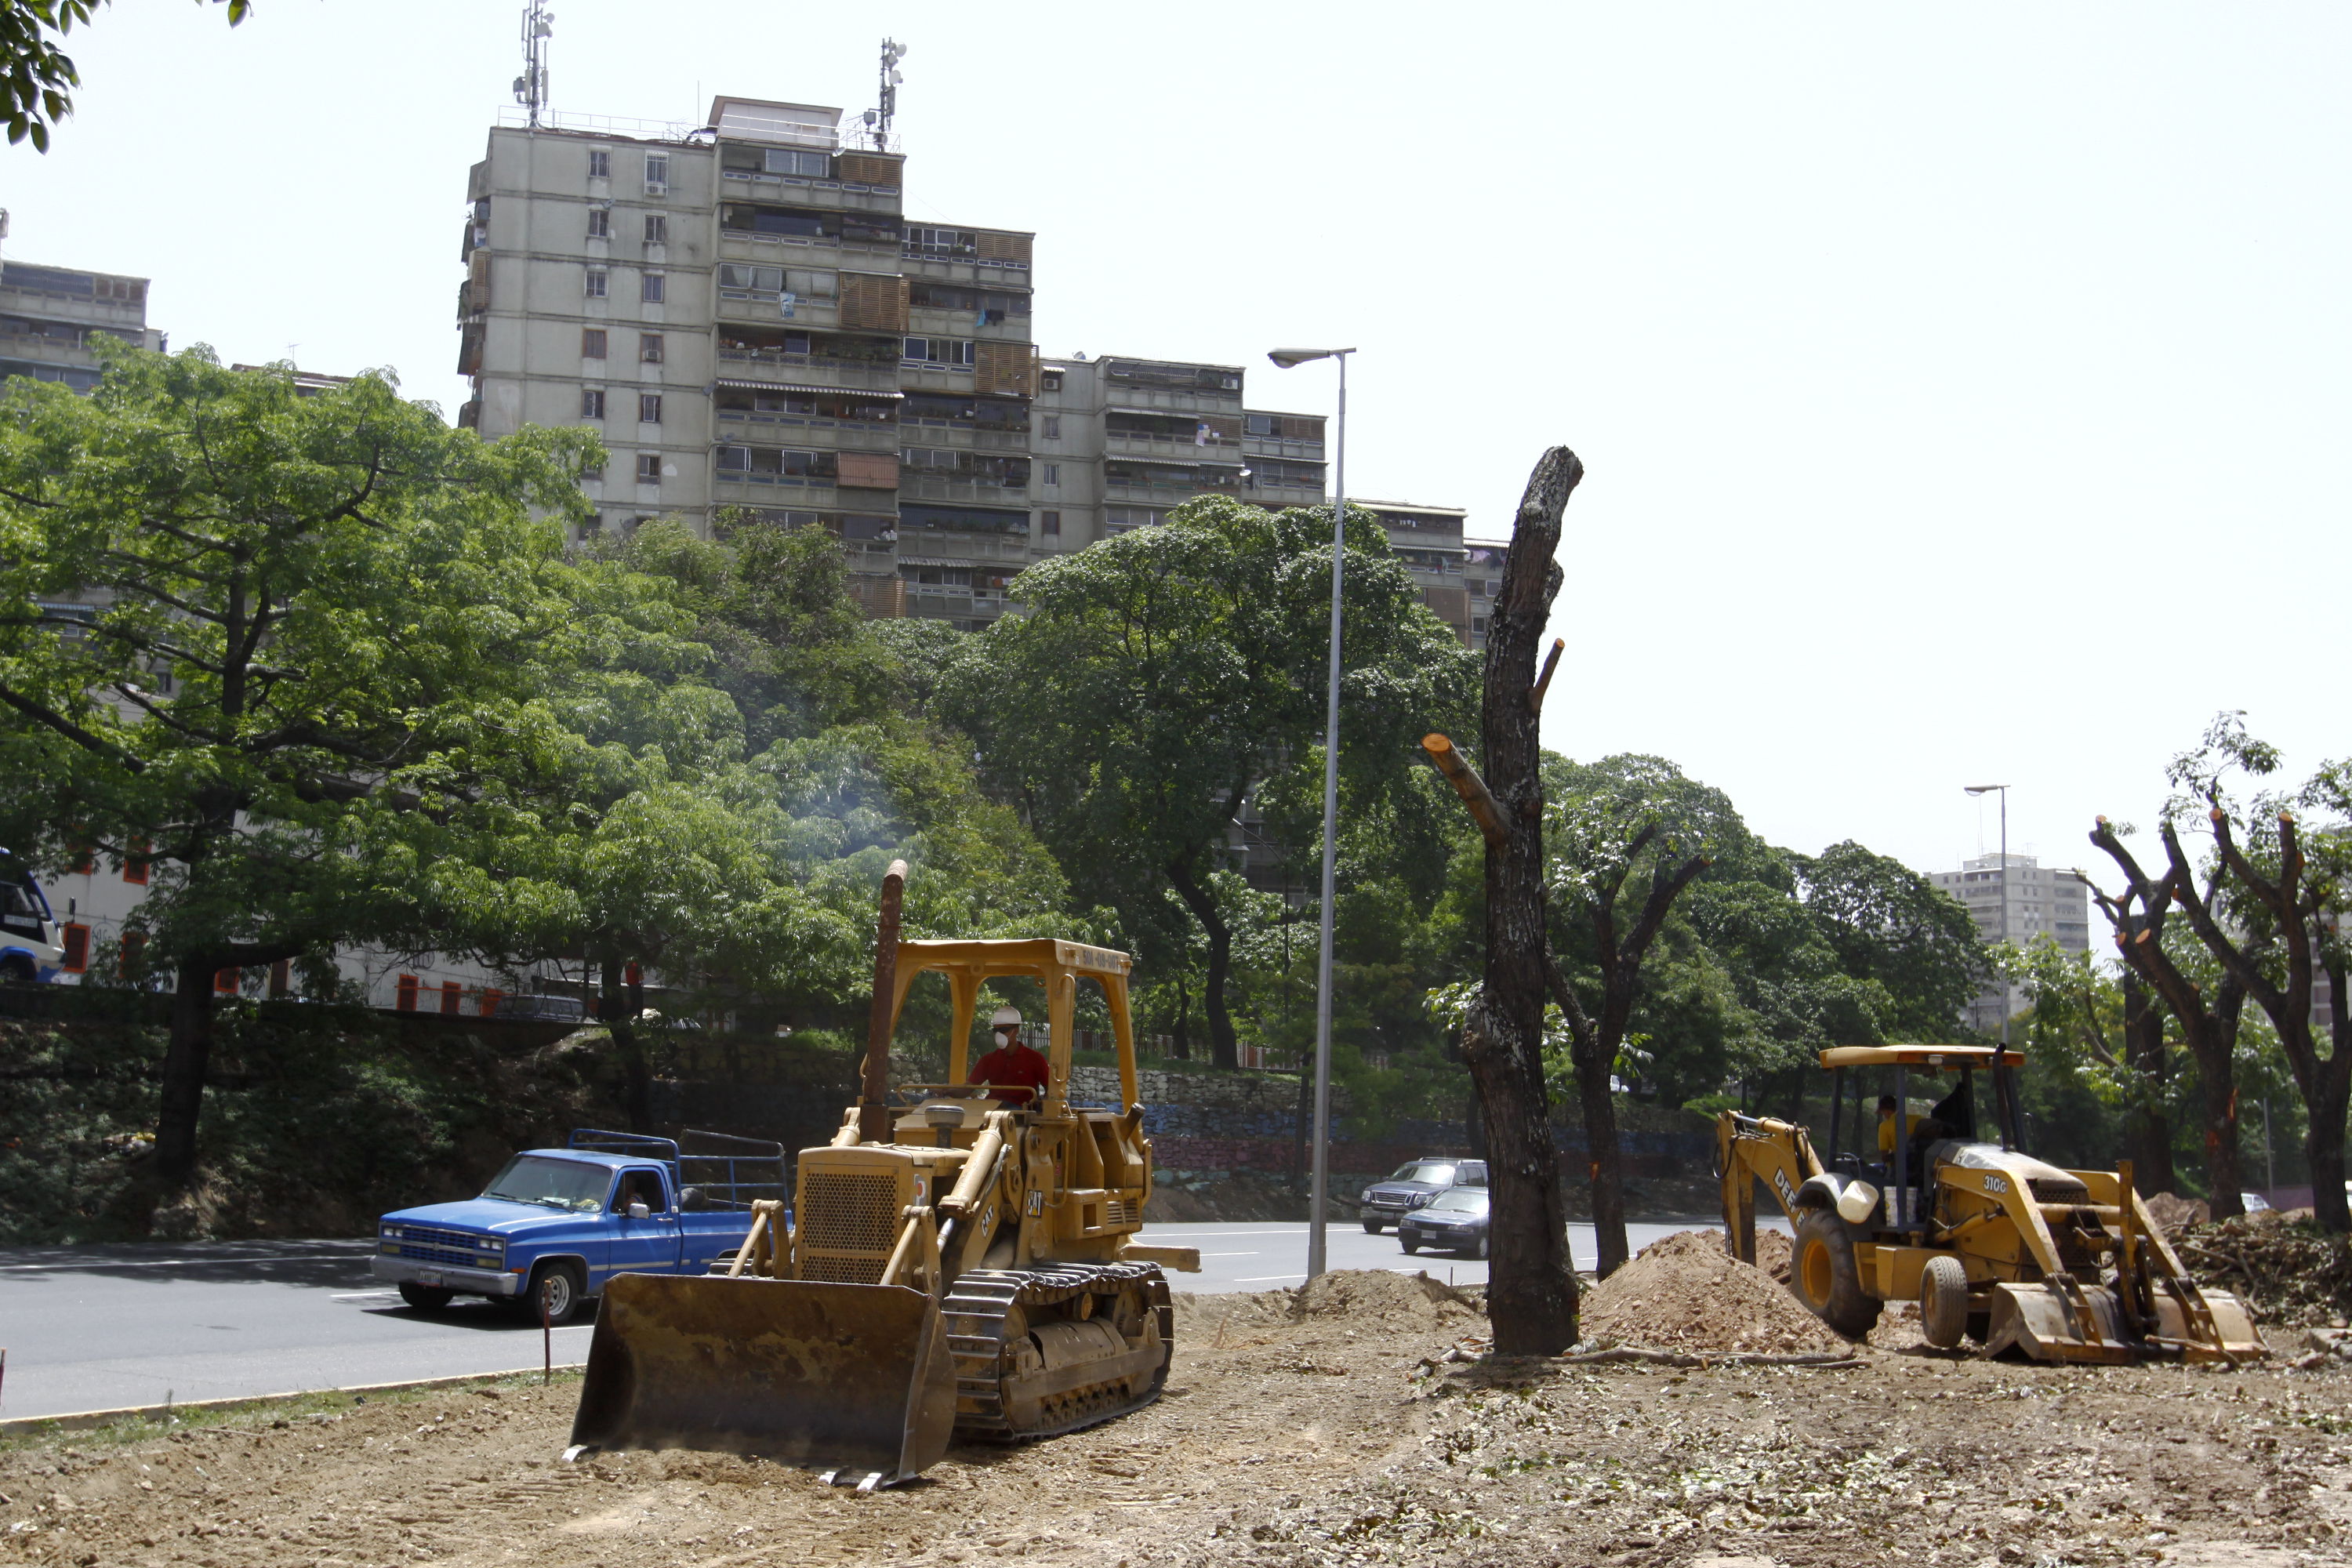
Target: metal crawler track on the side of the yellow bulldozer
(977, 1311)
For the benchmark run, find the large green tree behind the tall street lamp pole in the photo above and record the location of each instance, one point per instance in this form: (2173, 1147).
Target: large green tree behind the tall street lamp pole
(1168, 674)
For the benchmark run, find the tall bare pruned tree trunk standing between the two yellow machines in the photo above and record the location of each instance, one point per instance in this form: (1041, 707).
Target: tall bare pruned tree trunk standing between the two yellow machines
(1532, 1287)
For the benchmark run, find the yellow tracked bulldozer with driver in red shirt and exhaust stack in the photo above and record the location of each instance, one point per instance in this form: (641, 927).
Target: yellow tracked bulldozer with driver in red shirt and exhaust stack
(961, 1259)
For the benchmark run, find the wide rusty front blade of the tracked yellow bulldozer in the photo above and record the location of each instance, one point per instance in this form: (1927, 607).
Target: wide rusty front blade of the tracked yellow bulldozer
(829, 1376)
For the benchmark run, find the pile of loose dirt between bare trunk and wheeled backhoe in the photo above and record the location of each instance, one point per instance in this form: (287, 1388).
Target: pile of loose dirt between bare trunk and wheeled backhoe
(1690, 1294)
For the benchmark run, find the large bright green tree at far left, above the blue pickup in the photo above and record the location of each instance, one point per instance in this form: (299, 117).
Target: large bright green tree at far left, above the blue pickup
(314, 626)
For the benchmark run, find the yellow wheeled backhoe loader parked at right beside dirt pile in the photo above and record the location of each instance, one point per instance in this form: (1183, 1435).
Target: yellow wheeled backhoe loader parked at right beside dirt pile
(1996, 1245)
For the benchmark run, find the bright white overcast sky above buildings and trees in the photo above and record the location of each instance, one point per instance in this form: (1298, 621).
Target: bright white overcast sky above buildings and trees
(1944, 373)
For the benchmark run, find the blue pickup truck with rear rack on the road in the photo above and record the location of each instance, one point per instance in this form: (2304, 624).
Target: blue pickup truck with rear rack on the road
(561, 1224)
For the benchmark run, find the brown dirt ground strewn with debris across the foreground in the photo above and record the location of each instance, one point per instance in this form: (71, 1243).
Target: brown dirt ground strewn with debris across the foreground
(1354, 1423)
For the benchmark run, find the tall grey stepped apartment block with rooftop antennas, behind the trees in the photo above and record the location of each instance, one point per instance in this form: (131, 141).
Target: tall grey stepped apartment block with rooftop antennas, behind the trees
(749, 321)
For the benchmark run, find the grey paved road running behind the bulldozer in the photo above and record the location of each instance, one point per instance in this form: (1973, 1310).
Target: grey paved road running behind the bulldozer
(109, 1327)
